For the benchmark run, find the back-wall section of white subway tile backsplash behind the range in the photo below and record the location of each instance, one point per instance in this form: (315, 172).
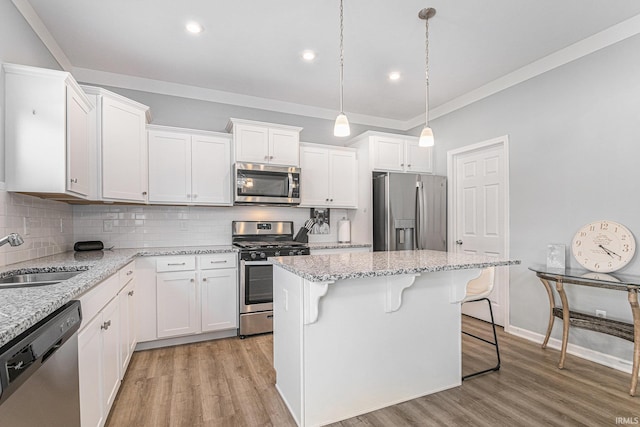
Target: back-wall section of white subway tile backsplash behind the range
(159, 226)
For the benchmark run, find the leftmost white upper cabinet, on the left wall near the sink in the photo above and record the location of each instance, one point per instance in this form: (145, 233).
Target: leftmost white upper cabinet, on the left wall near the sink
(47, 134)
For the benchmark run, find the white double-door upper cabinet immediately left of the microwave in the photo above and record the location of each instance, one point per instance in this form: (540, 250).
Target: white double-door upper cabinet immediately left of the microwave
(189, 167)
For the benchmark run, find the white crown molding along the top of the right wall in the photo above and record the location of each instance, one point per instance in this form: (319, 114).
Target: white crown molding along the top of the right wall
(601, 40)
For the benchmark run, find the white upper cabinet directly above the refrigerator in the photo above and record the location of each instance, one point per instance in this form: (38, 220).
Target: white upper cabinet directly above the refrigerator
(400, 153)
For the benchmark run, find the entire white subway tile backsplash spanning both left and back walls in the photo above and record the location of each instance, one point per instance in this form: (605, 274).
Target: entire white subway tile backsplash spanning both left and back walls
(49, 227)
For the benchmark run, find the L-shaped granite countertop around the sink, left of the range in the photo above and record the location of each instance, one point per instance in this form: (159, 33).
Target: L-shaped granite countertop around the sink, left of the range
(21, 308)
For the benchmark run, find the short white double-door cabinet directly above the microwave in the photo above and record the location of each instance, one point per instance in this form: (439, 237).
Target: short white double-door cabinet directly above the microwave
(258, 142)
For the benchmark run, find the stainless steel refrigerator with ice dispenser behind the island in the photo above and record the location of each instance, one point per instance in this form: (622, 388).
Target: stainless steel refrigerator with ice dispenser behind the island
(409, 212)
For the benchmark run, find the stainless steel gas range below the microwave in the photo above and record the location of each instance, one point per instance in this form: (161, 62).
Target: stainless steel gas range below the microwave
(259, 240)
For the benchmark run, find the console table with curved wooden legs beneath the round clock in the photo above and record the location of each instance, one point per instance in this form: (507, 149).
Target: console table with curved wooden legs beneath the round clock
(618, 282)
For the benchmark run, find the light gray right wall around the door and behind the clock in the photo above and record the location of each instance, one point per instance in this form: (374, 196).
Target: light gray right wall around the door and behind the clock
(574, 135)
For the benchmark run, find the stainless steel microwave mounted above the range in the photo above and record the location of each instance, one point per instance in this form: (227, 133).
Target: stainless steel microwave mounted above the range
(260, 184)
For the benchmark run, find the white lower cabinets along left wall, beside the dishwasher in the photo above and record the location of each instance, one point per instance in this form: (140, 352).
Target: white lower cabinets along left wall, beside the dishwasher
(100, 345)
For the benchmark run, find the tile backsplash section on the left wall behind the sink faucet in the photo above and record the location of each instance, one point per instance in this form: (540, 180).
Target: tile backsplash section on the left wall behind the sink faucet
(45, 225)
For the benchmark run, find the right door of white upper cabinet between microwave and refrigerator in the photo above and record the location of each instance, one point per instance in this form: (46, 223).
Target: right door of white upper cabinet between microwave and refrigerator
(343, 174)
